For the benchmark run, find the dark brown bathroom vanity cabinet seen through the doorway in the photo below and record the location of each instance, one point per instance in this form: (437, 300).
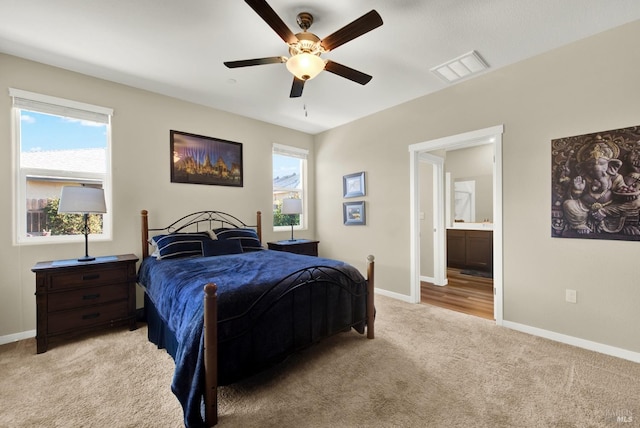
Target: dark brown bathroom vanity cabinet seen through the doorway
(470, 249)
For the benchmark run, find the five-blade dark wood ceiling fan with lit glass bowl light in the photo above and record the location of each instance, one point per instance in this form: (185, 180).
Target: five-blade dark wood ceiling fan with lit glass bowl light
(305, 48)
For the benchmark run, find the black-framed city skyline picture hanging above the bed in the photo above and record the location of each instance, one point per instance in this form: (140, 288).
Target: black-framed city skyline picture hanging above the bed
(197, 159)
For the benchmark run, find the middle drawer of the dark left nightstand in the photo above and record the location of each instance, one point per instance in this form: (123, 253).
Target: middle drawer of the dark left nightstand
(81, 297)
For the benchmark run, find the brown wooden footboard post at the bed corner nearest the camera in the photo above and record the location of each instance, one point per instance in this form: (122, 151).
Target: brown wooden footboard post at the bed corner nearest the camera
(211, 354)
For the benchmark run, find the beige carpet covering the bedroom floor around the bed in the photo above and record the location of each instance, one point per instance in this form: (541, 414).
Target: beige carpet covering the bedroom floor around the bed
(428, 367)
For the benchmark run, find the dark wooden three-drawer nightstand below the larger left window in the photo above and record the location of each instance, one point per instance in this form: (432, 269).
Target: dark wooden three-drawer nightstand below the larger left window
(75, 297)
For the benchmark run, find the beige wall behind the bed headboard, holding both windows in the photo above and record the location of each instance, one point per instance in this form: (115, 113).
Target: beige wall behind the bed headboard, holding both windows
(141, 180)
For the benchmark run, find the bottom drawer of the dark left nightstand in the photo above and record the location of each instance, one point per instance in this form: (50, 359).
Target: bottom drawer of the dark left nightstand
(76, 319)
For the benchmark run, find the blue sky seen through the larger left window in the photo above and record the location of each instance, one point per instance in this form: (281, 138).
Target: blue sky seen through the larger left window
(46, 132)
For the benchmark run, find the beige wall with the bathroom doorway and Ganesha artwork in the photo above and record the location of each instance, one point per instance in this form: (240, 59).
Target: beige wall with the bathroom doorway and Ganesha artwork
(584, 87)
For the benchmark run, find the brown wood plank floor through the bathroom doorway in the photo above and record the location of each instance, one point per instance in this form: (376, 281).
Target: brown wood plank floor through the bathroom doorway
(471, 295)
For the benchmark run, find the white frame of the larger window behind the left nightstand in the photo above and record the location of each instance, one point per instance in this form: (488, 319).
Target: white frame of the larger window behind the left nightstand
(45, 104)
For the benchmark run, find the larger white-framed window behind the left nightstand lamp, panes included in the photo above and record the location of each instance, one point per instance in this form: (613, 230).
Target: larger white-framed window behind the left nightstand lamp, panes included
(58, 143)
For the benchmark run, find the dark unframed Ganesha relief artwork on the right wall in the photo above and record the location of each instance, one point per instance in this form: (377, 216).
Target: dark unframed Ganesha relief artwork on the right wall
(596, 185)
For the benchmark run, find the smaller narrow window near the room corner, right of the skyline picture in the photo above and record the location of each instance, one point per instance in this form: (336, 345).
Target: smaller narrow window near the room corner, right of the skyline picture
(289, 181)
